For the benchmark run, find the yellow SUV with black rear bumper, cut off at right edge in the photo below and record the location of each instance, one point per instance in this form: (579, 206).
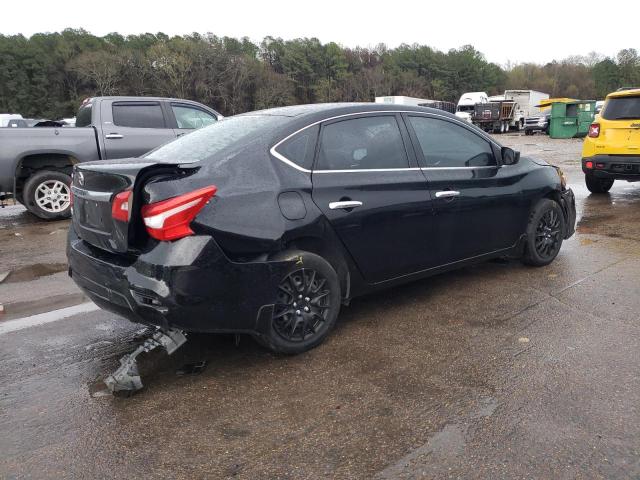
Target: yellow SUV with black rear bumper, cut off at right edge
(611, 149)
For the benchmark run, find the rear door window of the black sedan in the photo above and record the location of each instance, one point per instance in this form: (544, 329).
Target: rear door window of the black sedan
(362, 143)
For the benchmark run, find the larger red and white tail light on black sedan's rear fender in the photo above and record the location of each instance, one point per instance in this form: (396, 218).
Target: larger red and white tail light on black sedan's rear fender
(170, 219)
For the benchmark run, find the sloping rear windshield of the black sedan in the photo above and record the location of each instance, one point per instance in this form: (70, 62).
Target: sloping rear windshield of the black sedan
(206, 142)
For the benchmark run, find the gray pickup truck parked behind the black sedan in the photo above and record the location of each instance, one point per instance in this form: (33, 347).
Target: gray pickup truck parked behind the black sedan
(36, 163)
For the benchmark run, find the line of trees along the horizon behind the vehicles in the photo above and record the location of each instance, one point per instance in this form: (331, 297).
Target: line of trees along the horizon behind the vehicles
(49, 74)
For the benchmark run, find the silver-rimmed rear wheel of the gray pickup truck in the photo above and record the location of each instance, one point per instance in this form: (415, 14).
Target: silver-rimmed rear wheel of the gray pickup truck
(47, 194)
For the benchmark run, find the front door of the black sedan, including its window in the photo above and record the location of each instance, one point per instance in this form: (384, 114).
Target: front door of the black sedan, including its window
(479, 205)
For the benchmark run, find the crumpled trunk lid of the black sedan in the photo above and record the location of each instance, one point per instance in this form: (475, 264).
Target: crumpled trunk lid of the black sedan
(94, 188)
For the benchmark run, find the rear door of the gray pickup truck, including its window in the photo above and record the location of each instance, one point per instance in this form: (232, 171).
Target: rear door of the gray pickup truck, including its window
(132, 128)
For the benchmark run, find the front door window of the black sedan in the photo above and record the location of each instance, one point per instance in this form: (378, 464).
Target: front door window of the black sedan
(445, 144)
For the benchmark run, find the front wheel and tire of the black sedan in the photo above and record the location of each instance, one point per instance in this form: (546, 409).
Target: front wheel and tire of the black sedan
(545, 232)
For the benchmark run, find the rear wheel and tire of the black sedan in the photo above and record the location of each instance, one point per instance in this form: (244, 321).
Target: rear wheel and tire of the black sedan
(306, 304)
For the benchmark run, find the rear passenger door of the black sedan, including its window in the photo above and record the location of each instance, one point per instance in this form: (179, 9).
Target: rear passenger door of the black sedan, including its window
(367, 184)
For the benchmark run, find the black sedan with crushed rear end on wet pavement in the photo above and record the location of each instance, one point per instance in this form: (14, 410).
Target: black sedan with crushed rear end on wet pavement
(267, 222)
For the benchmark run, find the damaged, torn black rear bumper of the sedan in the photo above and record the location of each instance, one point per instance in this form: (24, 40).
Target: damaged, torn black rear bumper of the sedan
(188, 284)
